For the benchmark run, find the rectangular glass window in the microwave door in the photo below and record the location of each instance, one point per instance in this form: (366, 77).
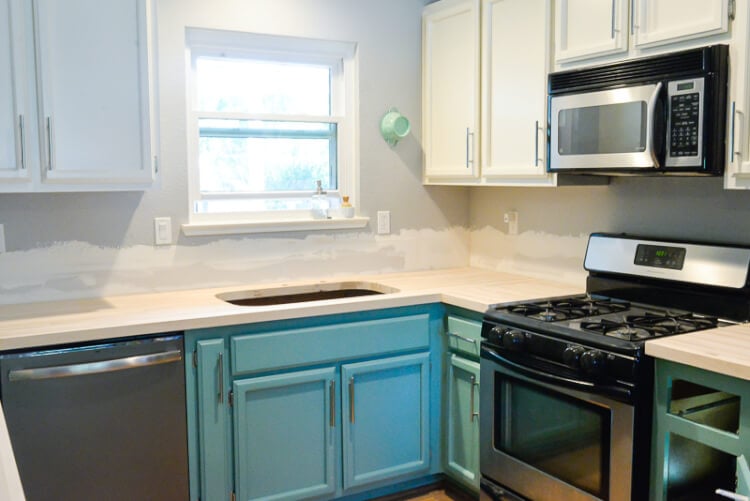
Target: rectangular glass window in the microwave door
(610, 128)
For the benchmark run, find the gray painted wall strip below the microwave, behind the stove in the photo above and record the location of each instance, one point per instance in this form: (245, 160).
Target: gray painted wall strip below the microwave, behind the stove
(681, 208)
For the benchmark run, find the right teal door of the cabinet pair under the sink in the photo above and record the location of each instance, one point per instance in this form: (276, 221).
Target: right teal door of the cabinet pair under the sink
(386, 420)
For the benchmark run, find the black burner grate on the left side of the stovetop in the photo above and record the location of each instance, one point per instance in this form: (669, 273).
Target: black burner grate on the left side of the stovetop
(568, 309)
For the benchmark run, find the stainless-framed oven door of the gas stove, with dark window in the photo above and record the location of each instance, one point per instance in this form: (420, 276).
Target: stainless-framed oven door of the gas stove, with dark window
(548, 439)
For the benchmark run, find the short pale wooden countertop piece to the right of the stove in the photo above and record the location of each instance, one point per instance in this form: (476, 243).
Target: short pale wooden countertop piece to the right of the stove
(725, 350)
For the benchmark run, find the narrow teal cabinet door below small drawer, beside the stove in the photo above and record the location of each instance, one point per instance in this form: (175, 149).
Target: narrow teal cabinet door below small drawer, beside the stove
(462, 454)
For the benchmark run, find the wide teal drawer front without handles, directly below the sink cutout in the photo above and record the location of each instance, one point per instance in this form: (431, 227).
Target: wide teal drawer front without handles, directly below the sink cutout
(295, 347)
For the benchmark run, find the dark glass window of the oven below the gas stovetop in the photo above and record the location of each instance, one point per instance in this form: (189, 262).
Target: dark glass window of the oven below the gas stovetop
(559, 435)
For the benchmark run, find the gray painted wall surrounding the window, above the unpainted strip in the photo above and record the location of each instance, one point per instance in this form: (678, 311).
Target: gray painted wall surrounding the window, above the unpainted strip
(388, 33)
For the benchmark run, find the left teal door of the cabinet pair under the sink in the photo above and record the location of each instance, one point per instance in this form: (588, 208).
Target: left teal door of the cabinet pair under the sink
(285, 431)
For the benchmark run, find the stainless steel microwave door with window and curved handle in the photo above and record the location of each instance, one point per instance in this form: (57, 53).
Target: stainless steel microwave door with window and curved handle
(619, 129)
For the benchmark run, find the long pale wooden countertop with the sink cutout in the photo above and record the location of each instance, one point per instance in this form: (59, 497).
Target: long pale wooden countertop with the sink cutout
(43, 324)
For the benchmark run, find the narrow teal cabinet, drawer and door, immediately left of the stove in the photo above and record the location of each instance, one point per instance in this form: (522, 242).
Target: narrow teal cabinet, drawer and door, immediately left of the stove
(461, 398)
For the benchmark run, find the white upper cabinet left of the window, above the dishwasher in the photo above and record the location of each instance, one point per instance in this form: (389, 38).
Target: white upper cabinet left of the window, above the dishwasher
(77, 93)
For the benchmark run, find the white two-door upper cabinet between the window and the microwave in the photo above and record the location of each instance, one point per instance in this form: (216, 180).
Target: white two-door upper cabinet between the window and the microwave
(508, 146)
